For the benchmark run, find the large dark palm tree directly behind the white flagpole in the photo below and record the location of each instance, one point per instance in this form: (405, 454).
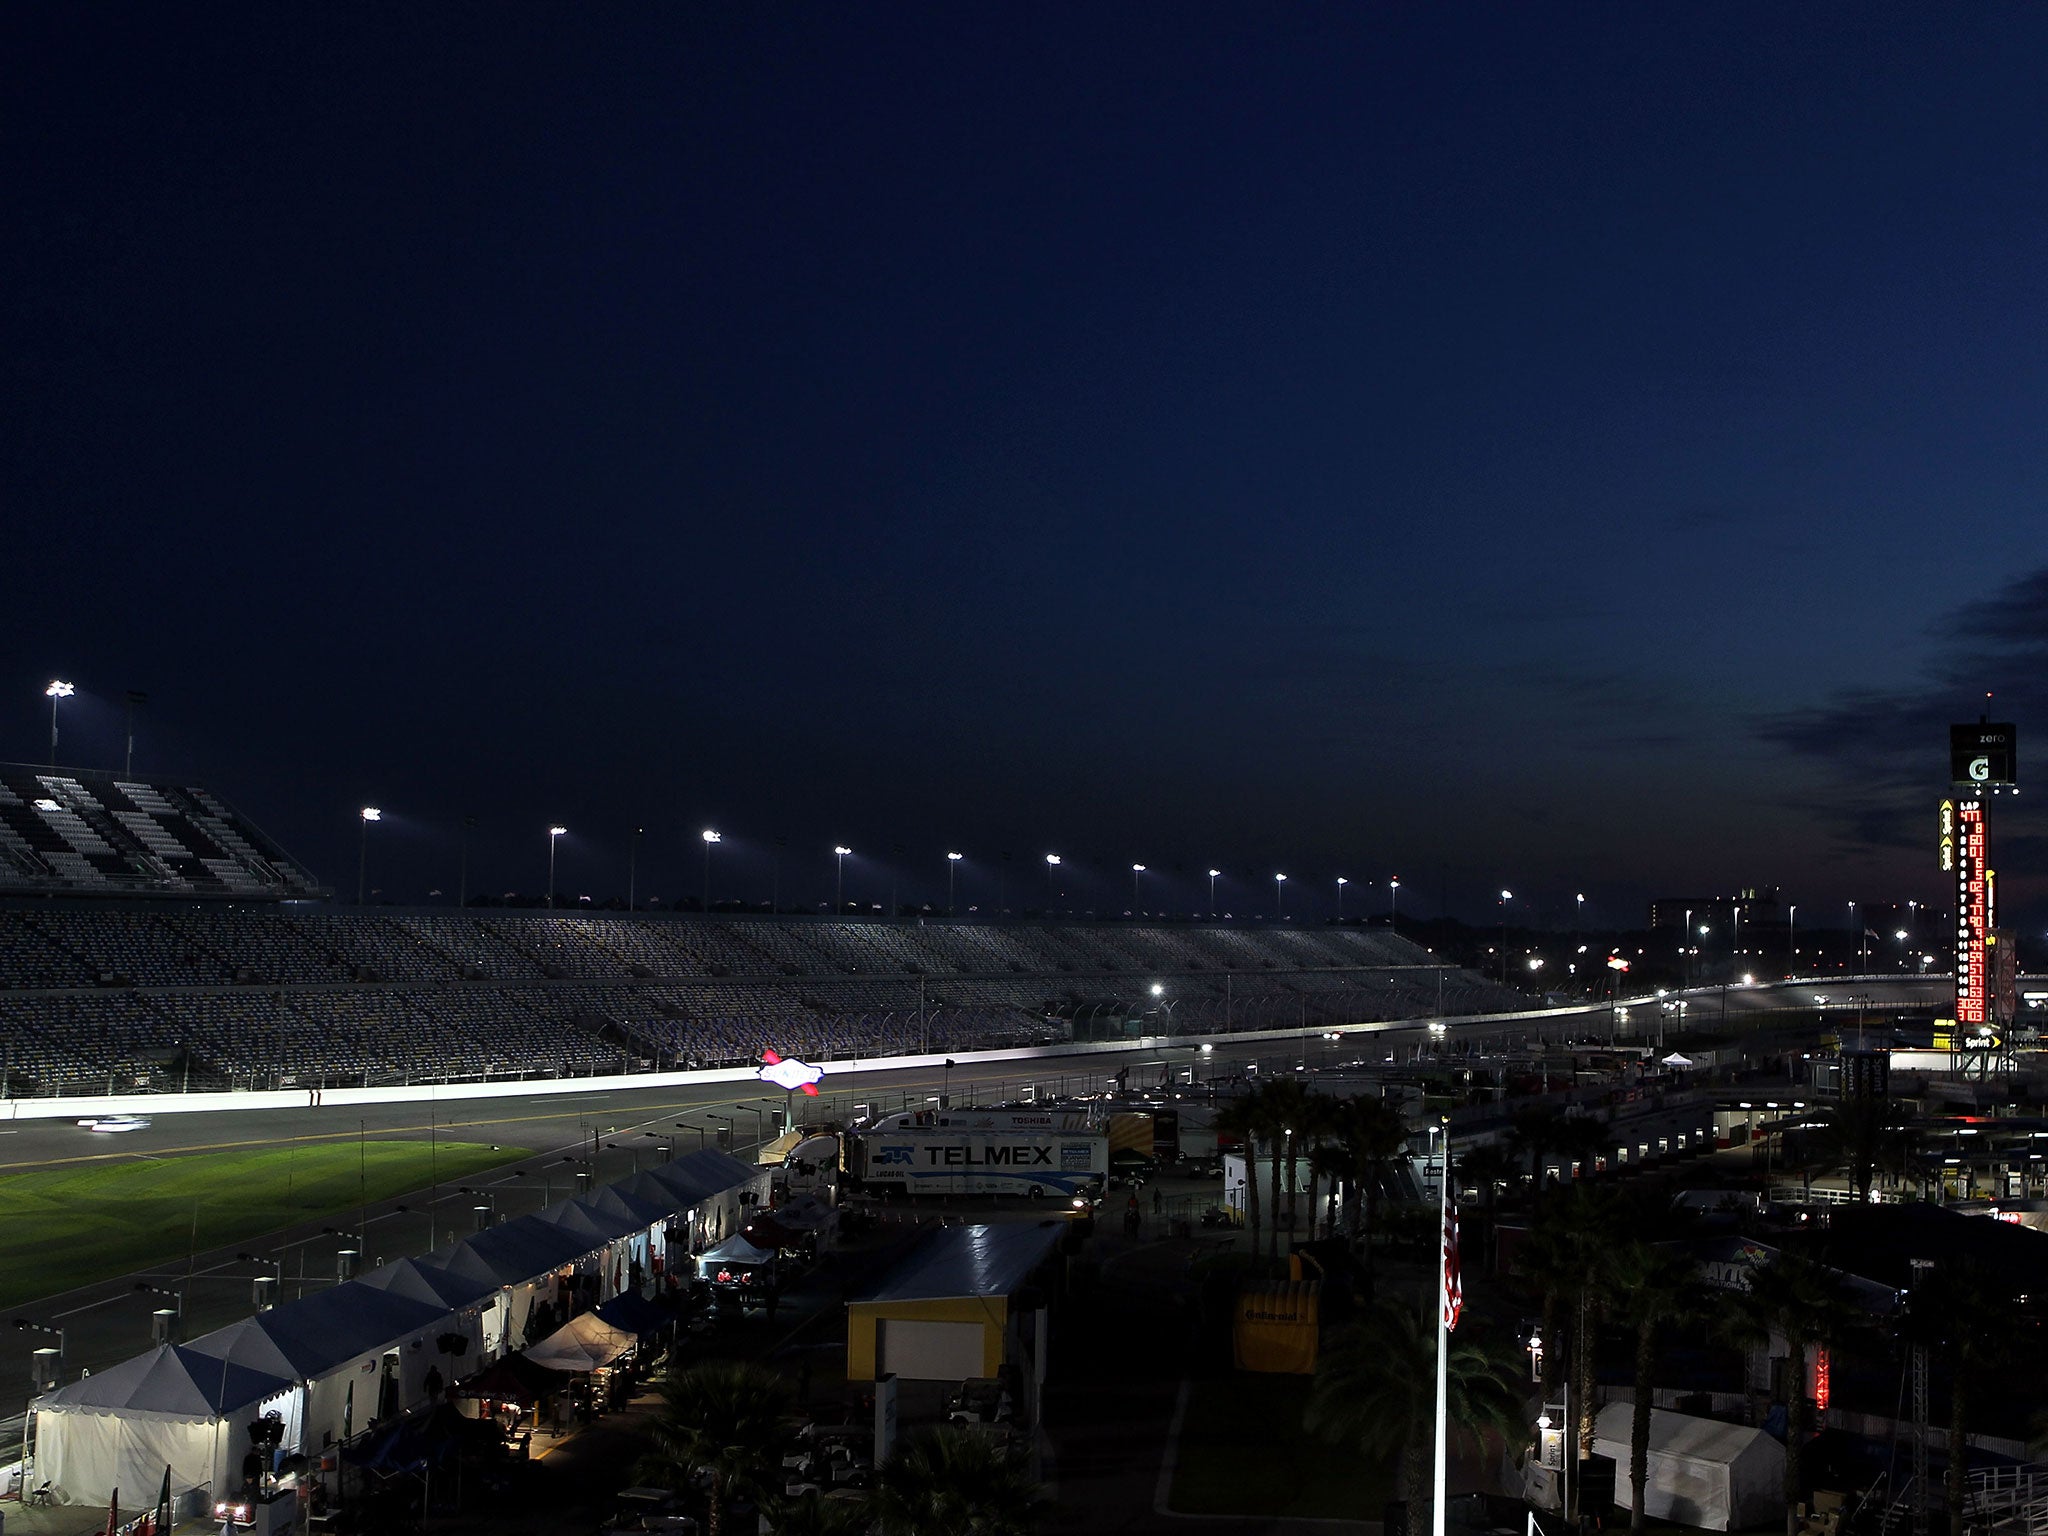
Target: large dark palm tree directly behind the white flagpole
(1375, 1390)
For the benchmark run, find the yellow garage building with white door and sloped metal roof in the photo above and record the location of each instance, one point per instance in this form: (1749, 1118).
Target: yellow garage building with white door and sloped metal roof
(957, 1308)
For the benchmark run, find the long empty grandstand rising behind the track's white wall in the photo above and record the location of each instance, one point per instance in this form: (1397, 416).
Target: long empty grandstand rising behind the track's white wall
(153, 939)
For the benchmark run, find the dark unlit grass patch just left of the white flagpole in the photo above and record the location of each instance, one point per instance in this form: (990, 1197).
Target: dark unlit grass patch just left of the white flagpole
(1244, 1453)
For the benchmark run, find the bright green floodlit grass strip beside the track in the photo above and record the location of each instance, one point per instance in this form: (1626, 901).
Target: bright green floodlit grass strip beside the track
(75, 1226)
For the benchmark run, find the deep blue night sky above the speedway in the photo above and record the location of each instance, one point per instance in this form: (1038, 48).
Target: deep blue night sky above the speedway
(1574, 447)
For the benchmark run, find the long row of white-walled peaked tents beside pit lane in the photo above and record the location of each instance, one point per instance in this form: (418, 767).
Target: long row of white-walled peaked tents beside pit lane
(335, 1361)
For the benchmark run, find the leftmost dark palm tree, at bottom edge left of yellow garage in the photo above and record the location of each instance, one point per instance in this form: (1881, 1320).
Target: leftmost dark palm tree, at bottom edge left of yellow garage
(724, 1424)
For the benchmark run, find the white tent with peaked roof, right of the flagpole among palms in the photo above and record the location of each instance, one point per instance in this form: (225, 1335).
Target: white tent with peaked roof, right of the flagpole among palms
(1701, 1471)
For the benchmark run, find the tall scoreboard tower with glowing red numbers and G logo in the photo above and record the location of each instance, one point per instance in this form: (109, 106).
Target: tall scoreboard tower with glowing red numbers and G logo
(1983, 765)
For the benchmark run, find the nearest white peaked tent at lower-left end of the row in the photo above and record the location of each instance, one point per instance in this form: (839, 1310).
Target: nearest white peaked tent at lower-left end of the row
(171, 1408)
